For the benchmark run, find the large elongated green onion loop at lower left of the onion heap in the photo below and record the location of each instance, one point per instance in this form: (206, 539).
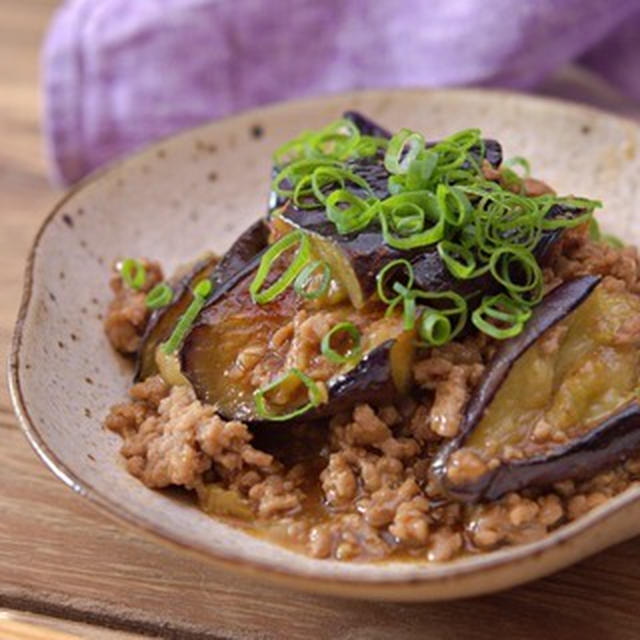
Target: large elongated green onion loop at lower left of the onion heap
(269, 258)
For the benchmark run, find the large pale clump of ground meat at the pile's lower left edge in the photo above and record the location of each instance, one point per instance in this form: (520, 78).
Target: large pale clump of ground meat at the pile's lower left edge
(170, 438)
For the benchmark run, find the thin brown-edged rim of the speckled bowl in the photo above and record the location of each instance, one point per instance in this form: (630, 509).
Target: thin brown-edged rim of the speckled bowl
(404, 588)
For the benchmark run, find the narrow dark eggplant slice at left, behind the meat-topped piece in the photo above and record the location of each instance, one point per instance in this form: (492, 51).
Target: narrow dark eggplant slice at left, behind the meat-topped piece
(162, 322)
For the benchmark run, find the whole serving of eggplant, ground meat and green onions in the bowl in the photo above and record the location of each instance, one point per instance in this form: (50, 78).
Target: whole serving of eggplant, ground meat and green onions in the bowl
(420, 352)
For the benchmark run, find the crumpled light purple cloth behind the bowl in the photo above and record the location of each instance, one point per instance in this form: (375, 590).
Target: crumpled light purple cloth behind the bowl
(119, 73)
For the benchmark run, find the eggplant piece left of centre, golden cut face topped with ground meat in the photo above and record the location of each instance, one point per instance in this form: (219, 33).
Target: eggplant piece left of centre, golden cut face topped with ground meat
(238, 347)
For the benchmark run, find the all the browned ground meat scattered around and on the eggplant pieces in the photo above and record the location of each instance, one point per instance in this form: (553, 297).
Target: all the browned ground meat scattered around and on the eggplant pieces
(364, 489)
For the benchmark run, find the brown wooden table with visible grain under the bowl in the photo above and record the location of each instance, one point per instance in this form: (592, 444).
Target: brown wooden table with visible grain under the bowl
(61, 559)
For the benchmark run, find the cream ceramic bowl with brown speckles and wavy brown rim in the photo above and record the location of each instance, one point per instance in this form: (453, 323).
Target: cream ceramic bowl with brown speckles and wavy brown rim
(196, 191)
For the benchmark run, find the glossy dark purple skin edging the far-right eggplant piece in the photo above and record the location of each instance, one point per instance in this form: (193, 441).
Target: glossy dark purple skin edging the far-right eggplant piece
(584, 455)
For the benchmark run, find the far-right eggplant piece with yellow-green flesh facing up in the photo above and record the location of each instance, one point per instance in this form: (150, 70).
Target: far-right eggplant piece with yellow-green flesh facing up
(558, 401)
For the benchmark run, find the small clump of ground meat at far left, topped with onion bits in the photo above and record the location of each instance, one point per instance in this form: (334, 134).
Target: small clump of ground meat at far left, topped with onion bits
(127, 313)
